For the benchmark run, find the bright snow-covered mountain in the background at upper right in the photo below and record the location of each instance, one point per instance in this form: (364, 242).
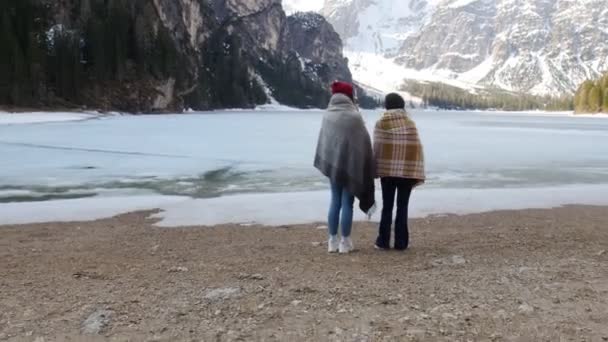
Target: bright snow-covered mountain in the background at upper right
(535, 46)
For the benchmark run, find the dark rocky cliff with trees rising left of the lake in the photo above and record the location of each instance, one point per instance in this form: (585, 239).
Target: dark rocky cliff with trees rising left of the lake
(166, 55)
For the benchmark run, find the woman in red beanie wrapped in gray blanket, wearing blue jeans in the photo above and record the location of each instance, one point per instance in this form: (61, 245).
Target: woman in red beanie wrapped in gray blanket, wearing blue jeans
(345, 156)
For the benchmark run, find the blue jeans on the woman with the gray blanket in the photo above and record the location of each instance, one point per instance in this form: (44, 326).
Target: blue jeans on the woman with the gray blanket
(341, 201)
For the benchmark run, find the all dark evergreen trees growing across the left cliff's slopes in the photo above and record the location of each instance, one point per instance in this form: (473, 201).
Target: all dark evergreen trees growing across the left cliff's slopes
(113, 54)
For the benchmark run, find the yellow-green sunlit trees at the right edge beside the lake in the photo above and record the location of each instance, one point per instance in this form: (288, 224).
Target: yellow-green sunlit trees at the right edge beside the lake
(592, 96)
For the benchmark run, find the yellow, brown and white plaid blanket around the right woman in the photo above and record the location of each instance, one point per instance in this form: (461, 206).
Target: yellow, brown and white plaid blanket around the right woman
(398, 151)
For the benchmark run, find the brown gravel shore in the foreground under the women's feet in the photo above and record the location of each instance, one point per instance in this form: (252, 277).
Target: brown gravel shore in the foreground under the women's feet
(533, 275)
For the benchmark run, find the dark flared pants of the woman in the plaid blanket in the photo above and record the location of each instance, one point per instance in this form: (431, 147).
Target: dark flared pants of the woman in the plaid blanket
(403, 188)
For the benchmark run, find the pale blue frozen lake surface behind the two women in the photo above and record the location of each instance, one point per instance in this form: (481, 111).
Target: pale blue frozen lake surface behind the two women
(213, 155)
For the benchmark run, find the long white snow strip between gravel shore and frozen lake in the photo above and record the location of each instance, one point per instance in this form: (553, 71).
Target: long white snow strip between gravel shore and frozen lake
(294, 208)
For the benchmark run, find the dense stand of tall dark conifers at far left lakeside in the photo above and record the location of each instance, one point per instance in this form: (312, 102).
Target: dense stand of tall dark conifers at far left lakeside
(42, 63)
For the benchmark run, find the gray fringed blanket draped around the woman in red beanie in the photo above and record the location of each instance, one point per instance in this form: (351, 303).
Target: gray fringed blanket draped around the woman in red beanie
(344, 151)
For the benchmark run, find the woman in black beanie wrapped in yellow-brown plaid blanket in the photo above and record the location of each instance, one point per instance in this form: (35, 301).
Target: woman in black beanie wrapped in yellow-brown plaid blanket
(399, 163)
